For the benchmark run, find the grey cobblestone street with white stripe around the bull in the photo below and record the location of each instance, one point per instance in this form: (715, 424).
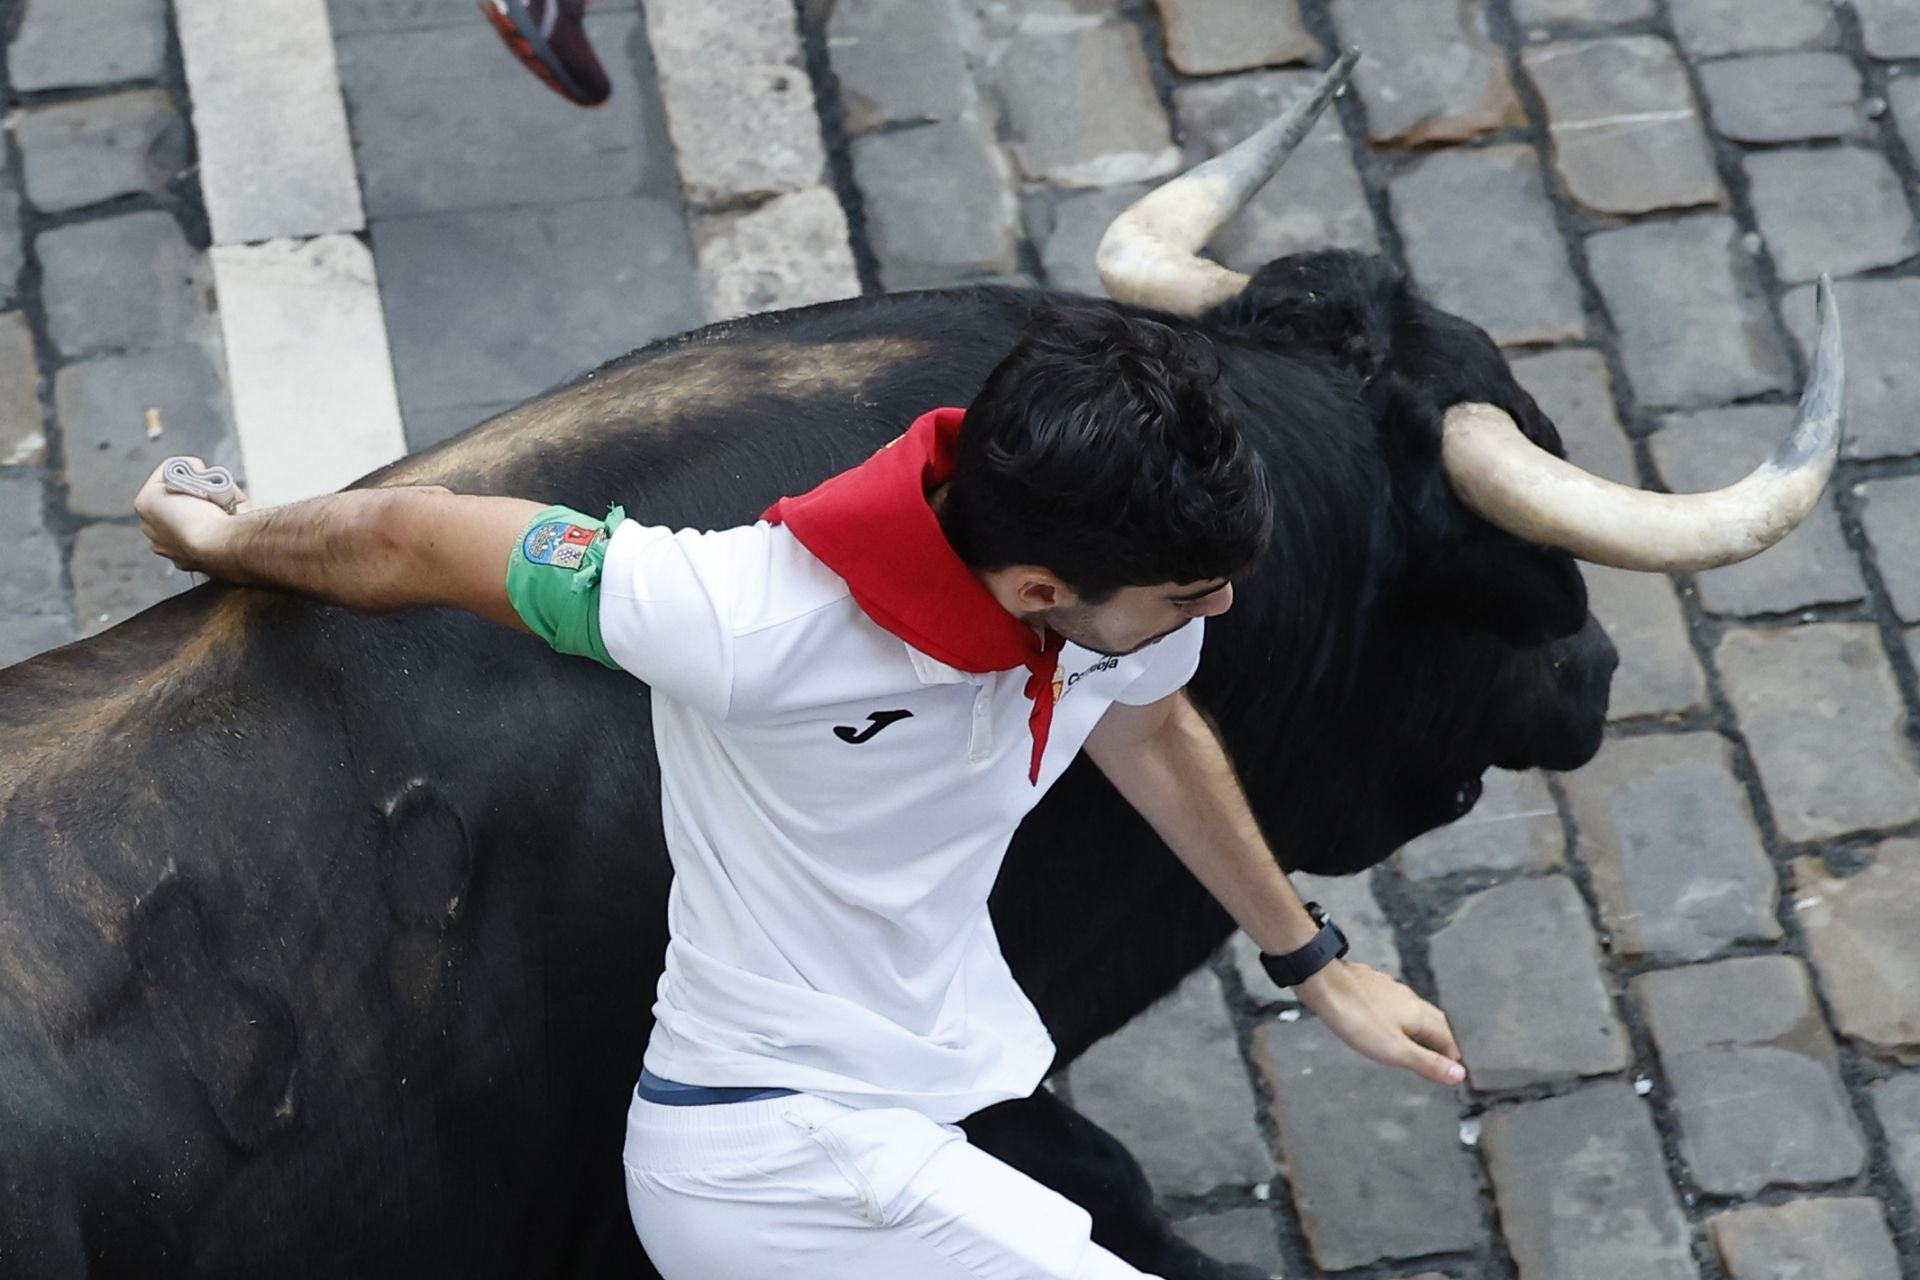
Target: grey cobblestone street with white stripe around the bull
(1687, 978)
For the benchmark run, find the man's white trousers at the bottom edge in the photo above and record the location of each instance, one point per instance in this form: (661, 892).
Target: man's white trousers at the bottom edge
(809, 1189)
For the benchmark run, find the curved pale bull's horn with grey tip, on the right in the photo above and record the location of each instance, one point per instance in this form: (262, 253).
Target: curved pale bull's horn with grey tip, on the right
(1531, 494)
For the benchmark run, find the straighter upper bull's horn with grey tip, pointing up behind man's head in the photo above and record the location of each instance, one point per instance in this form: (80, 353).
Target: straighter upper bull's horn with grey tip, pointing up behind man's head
(1151, 254)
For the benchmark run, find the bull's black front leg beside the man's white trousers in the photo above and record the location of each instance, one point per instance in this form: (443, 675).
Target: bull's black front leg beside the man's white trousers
(1055, 1145)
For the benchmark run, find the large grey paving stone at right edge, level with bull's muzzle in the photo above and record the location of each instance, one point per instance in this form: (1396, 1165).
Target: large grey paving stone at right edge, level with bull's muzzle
(1823, 721)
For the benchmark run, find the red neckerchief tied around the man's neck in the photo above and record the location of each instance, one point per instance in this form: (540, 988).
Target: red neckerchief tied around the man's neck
(875, 529)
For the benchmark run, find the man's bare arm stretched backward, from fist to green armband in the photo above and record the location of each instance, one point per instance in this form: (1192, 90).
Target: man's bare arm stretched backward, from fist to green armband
(364, 548)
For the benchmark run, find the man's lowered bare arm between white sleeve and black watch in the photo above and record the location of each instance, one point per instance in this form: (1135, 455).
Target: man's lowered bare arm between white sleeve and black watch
(1184, 784)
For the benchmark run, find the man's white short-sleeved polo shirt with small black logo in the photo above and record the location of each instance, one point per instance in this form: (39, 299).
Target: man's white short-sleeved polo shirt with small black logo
(838, 807)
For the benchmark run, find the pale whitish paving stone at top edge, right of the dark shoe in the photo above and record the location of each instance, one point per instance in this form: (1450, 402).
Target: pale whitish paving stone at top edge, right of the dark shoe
(752, 131)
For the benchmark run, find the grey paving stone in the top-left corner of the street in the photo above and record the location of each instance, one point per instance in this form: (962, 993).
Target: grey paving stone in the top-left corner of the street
(66, 45)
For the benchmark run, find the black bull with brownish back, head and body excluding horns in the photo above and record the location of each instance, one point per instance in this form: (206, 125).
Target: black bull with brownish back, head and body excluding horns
(327, 941)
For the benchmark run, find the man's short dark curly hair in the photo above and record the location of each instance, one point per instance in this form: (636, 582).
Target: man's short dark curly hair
(1103, 450)
